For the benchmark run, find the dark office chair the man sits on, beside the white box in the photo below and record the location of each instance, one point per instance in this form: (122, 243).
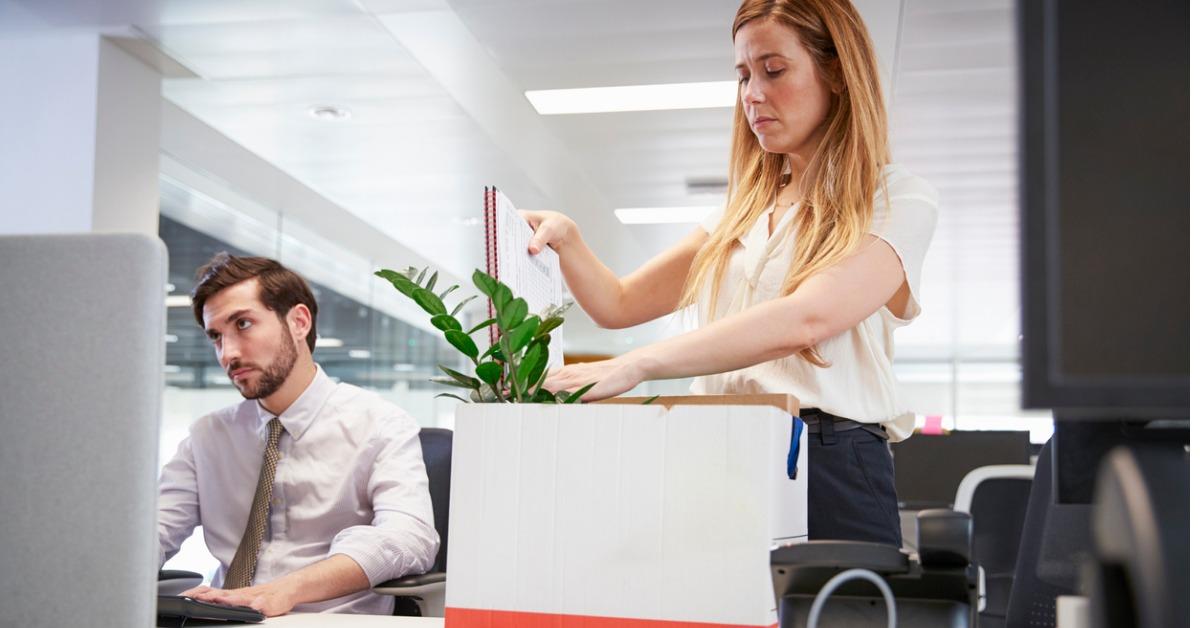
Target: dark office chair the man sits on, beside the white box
(428, 590)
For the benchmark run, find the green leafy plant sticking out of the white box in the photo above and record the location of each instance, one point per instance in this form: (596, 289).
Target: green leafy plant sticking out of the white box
(511, 370)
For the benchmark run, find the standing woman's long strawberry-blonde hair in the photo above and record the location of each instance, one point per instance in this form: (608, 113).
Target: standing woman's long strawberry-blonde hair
(845, 168)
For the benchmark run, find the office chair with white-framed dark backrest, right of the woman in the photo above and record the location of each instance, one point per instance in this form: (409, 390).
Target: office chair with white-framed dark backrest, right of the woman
(997, 498)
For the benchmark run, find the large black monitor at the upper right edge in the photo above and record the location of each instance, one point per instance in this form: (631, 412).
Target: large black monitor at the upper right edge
(1105, 207)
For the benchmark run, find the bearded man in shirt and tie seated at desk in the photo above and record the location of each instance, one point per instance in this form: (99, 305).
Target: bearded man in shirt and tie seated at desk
(310, 492)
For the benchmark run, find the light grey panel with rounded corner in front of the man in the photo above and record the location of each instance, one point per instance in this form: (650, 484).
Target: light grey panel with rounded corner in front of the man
(82, 325)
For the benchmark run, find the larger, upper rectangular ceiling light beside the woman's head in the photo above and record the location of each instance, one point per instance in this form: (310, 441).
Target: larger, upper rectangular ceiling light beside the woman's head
(635, 98)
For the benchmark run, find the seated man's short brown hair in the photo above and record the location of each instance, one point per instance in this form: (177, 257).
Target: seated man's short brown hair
(279, 289)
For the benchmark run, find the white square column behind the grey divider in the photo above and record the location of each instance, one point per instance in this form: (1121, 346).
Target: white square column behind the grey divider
(80, 123)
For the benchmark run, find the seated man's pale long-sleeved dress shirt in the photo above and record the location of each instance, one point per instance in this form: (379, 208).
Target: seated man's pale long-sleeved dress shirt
(351, 480)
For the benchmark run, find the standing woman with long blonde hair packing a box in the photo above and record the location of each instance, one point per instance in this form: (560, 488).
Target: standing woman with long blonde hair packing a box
(801, 280)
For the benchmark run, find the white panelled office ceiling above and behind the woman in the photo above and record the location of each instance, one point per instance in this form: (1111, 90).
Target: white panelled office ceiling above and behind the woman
(435, 89)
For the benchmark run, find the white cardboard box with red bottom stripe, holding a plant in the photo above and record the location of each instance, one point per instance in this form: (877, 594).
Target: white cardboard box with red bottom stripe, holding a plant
(621, 516)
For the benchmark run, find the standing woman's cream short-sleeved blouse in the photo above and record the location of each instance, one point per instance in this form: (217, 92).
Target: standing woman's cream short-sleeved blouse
(859, 384)
